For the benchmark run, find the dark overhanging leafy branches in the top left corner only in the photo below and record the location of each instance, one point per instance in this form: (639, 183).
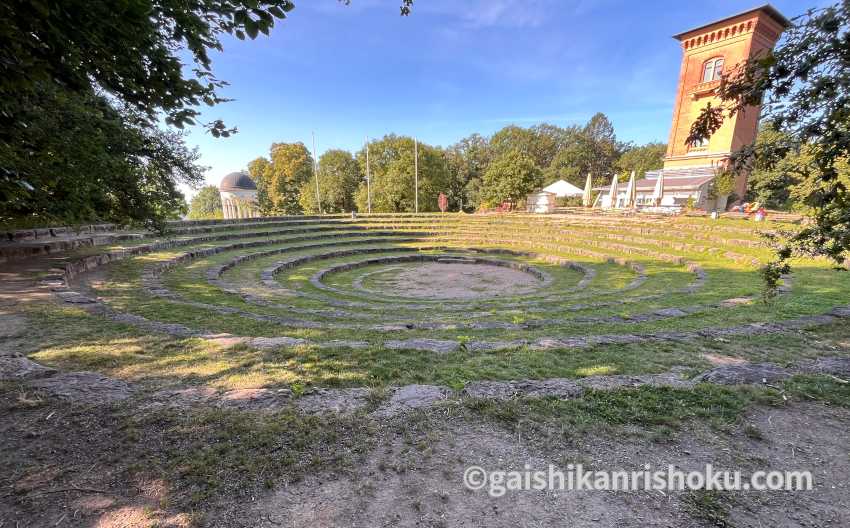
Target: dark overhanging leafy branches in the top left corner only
(129, 49)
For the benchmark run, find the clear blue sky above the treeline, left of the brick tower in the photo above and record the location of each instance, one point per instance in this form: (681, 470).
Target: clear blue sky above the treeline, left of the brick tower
(452, 68)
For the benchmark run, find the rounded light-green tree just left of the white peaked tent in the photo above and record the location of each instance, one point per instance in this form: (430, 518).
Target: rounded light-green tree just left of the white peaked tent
(511, 177)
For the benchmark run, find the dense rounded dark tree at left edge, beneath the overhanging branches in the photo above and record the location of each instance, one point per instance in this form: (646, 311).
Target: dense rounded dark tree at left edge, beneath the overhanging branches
(80, 159)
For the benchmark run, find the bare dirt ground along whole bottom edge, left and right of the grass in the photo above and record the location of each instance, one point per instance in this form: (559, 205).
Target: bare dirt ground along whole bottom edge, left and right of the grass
(72, 467)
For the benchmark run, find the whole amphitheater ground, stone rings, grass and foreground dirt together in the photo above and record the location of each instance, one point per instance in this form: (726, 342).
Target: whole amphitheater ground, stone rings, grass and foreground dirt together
(294, 360)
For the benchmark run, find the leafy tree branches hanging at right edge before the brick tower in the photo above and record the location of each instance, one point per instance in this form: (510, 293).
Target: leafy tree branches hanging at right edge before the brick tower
(804, 86)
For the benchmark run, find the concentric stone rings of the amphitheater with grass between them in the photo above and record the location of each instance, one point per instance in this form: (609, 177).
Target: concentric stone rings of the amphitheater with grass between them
(311, 282)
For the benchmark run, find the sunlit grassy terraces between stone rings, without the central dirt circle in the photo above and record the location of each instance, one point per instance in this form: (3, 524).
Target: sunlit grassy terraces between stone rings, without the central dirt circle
(646, 276)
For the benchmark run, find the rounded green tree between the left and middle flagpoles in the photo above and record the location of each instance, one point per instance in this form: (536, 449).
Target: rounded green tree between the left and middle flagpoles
(339, 176)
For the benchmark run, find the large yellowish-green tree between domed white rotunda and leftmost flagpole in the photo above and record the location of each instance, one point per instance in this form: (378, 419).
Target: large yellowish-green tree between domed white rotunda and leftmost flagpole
(281, 177)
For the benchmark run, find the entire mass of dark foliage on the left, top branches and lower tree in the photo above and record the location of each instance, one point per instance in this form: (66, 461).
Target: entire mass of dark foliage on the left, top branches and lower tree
(84, 86)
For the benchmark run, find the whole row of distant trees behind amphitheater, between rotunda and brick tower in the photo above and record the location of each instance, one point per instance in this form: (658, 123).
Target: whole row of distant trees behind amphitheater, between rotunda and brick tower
(475, 172)
